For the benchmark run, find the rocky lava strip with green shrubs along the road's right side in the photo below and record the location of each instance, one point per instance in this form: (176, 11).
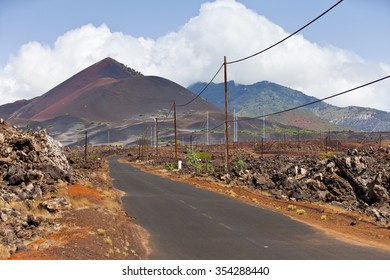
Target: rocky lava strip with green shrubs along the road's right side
(355, 180)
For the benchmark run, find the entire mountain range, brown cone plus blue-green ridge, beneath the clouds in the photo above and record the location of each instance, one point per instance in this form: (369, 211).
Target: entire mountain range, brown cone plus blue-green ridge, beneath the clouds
(117, 104)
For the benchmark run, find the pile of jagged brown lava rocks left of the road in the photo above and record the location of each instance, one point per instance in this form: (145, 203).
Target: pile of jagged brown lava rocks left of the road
(31, 166)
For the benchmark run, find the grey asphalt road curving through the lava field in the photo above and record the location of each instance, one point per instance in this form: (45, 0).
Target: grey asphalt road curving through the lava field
(186, 222)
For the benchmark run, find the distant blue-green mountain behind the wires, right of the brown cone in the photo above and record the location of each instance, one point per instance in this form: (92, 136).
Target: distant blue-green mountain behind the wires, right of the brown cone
(265, 97)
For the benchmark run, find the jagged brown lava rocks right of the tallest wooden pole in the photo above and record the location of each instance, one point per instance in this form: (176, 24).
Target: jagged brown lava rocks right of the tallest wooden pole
(358, 180)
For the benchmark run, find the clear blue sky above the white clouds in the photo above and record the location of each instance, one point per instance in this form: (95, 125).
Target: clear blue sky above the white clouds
(358, 25)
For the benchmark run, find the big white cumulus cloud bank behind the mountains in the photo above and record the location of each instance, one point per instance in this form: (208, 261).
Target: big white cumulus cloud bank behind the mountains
(195, 52)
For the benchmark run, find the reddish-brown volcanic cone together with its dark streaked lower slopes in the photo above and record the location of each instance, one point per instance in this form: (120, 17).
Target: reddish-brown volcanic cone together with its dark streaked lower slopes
(113, 102)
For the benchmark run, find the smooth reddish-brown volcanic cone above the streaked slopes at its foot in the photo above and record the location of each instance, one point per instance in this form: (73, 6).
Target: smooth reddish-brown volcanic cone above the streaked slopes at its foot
(108, 91)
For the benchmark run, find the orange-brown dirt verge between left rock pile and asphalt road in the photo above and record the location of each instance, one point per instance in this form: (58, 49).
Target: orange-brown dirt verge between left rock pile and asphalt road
(95, 228)
